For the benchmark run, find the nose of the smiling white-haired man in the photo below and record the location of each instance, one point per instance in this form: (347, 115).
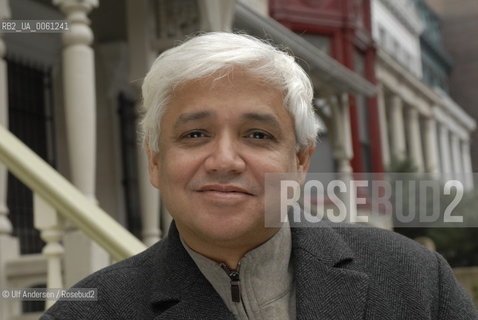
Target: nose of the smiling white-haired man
(225, 157)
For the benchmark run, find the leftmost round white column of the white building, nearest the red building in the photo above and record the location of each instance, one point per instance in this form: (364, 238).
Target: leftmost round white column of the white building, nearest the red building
(397, 129)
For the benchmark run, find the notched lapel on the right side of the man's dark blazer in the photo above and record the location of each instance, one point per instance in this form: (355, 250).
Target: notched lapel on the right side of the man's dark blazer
(326, 289)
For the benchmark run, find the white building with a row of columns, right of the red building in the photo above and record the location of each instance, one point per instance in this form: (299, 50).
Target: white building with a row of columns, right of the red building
(418, 123)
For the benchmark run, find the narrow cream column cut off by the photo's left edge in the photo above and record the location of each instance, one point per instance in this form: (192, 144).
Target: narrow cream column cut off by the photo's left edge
(5, 225)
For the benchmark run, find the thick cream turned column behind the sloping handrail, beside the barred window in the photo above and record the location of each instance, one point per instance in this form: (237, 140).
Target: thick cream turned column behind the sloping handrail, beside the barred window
(82, 255)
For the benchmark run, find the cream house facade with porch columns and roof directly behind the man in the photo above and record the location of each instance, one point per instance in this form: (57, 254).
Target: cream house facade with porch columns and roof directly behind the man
(74, 99)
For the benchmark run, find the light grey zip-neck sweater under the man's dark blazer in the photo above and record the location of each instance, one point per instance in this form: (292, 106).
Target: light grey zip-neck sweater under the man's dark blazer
(266, 276)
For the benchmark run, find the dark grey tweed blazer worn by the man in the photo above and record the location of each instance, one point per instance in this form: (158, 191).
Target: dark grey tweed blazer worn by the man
(341, 273)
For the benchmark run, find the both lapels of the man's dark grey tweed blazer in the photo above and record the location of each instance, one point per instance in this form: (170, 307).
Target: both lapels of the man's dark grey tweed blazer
(326, 286)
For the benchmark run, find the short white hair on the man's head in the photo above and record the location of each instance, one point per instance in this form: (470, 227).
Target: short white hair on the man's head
(214, 52)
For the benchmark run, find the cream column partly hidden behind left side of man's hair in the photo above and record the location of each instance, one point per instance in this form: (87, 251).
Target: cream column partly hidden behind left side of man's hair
(141, 58)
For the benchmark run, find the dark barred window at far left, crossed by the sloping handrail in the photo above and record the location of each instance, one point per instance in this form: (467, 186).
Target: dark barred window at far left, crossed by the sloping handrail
(31, 120)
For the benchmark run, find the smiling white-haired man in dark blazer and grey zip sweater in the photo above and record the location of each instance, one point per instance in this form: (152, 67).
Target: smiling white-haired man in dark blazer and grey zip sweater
(222, 110)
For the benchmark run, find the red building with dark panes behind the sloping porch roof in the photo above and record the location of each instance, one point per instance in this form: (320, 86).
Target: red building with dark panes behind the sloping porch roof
(342, 28)
